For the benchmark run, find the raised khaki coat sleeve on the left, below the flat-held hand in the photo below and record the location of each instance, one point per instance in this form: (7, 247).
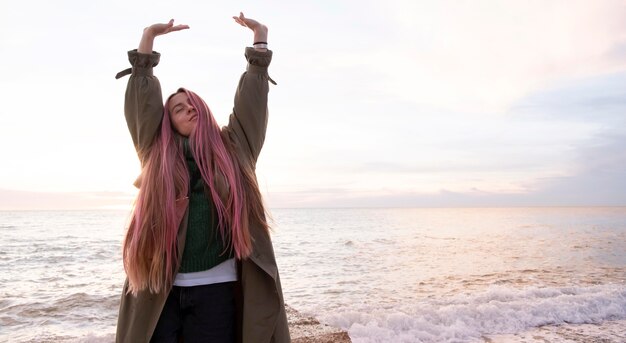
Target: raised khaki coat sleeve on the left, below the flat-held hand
(143, 105)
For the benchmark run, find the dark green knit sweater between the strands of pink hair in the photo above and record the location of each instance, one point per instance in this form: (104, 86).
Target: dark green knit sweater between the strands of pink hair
(204, 248)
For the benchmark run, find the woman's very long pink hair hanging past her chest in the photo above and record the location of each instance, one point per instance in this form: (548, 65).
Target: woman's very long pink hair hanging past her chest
(150, 249)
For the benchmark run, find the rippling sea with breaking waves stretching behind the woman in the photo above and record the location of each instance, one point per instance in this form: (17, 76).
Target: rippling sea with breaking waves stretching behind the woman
(539, 274)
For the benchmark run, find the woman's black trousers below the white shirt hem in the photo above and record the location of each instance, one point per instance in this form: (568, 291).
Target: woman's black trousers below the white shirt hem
(198, 314)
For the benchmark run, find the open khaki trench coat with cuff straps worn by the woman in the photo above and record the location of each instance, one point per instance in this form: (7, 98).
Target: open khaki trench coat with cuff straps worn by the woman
(262, 316)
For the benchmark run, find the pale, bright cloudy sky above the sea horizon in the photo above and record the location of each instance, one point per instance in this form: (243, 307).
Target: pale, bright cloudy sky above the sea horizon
(378, 104)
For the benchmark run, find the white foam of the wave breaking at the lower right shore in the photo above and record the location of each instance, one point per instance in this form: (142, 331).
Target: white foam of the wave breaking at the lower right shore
(498, 310)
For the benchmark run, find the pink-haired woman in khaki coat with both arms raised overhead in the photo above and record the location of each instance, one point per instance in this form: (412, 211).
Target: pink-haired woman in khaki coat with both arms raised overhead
(198, 256)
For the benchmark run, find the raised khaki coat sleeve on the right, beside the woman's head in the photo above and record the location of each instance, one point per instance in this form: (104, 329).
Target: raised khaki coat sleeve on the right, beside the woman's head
(248, 121)
